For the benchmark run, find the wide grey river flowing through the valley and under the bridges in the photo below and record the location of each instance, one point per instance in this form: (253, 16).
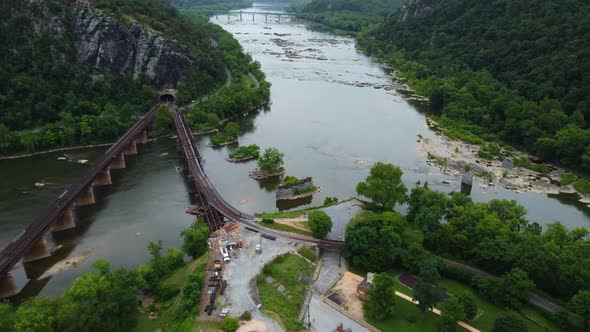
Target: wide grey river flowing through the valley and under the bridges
(327, 127)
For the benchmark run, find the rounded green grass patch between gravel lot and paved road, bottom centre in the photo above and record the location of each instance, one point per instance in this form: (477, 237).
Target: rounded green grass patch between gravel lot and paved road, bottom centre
(286, 271)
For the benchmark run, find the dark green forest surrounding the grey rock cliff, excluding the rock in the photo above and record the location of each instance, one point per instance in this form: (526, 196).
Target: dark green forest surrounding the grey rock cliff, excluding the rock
(50, 100)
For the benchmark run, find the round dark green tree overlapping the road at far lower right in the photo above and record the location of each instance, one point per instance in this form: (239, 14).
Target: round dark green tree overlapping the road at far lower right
(515, 286)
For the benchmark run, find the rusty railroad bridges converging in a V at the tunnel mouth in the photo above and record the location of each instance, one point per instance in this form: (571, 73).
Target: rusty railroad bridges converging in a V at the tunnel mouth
(31, 244)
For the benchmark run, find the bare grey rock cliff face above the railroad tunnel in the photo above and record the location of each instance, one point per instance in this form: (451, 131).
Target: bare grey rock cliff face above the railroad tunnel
(102, 43)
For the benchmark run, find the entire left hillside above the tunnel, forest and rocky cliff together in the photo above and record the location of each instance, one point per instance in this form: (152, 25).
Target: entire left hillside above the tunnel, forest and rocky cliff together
(81, 72)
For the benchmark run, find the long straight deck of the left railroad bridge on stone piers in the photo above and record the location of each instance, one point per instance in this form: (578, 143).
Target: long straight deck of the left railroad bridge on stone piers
(14, 251)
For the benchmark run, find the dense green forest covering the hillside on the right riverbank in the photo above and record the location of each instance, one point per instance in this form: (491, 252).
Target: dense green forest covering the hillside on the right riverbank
(507, 71)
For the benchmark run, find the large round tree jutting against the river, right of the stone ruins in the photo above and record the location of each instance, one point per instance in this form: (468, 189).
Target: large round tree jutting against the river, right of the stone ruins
(383, 186)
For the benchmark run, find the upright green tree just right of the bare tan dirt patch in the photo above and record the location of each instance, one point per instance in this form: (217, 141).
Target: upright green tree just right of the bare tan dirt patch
(382, 292)
